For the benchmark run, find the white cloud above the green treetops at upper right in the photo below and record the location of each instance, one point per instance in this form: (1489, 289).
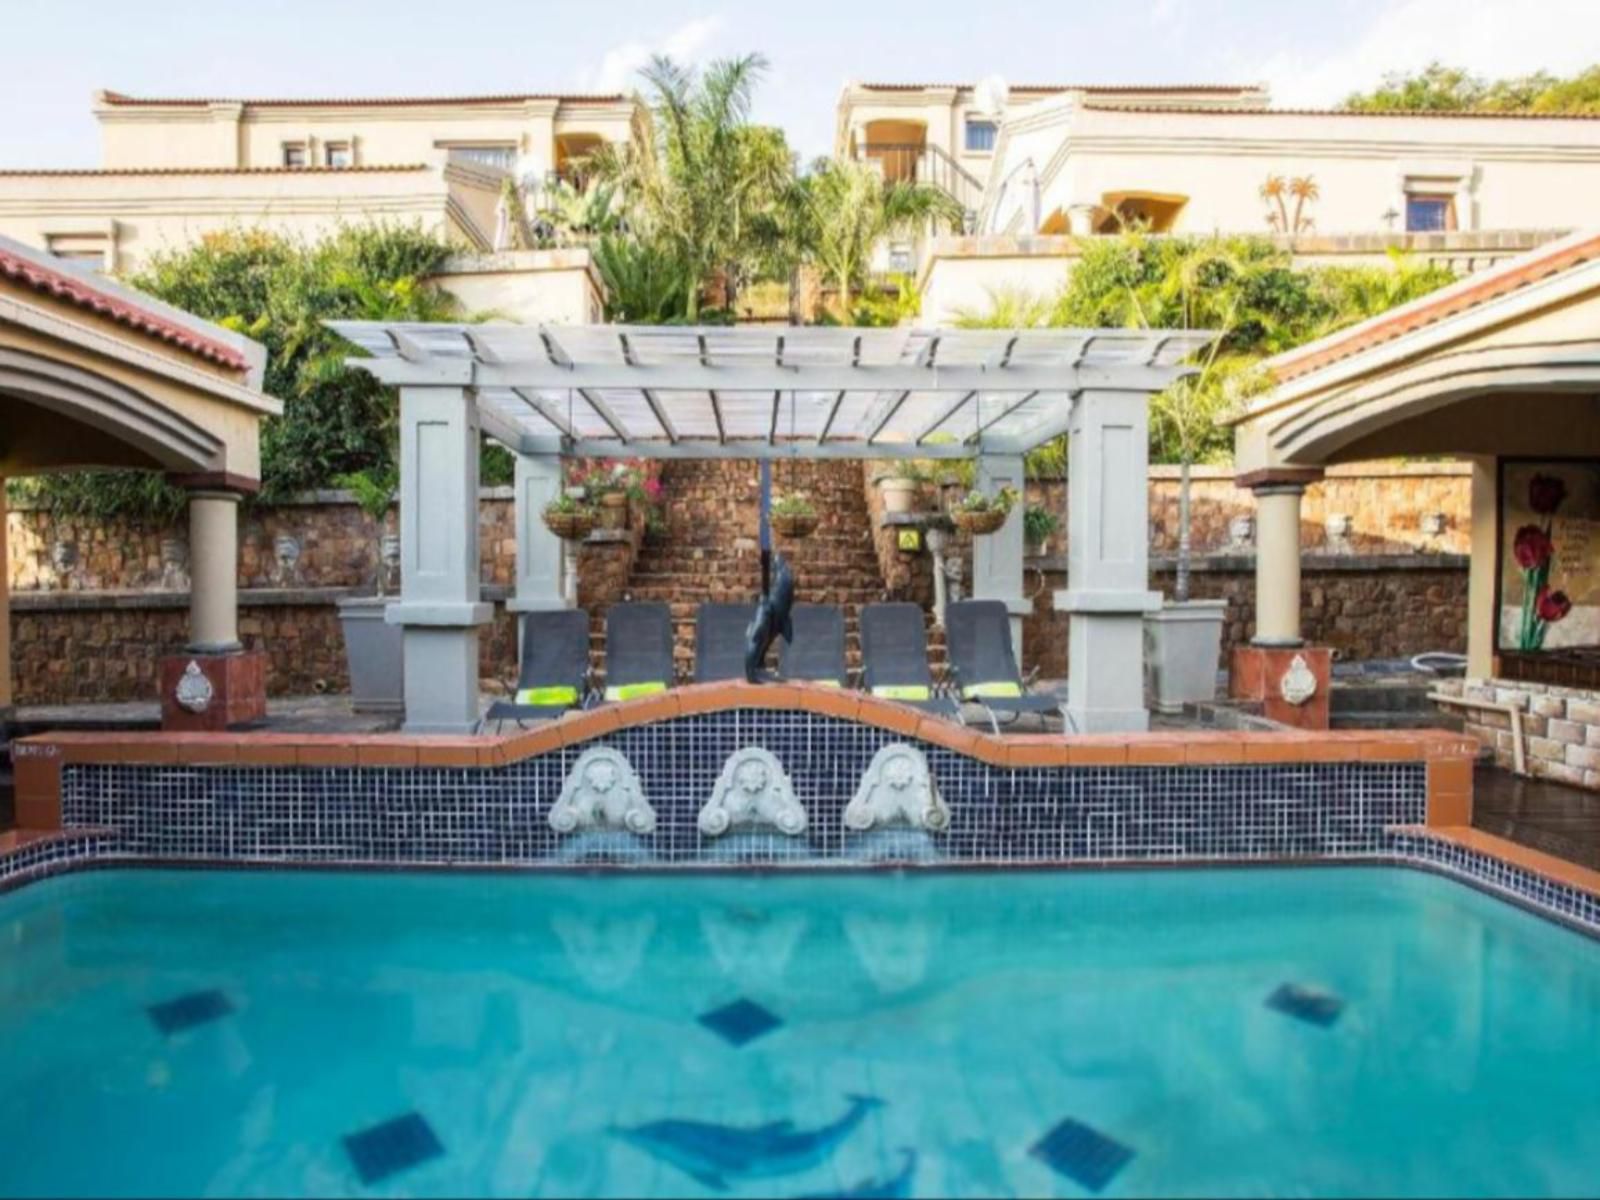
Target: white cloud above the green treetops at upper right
(1487, 38)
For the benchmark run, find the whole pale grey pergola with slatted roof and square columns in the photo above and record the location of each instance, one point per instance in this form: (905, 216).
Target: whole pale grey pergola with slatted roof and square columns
(770, 393)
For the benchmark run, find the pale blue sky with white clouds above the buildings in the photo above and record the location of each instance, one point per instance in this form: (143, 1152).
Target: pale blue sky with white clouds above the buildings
(1306, 52)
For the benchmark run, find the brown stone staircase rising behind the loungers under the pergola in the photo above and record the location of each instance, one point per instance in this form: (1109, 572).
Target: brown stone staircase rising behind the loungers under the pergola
(710, 550)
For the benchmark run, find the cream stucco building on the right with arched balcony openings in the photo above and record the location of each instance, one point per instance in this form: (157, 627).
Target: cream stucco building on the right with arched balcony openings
(1039, 169)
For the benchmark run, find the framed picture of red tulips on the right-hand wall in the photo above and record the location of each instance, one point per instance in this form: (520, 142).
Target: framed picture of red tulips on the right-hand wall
(1550, 570)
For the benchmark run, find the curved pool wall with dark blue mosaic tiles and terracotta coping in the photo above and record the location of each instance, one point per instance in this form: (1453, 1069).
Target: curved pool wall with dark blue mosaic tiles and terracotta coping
(1012, 802)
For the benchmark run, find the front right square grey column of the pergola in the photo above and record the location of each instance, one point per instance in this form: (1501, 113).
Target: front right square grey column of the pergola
(1108, 562)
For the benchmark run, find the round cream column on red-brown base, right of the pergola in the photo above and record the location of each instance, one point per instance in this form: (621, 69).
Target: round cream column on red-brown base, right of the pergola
(1278, 670)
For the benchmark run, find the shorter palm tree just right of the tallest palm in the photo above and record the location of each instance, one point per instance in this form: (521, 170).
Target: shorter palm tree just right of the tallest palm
(854, 210)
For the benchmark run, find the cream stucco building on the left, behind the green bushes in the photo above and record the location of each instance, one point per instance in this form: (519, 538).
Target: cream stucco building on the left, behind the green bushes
(175, 170)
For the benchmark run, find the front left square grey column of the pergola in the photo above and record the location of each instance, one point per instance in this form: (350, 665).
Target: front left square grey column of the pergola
(439, 559)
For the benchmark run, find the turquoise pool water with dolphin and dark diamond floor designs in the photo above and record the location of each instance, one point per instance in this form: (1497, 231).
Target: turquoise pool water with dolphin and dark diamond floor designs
(998, 1034)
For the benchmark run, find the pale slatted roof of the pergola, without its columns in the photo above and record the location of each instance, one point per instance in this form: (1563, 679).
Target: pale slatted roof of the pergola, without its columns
(770, 391)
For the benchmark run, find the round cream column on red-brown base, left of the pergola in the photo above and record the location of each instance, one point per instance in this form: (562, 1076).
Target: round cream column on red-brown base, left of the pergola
(215, 684)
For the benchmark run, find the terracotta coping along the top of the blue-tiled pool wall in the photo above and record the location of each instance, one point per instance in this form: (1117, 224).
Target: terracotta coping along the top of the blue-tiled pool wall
(39, 759)
